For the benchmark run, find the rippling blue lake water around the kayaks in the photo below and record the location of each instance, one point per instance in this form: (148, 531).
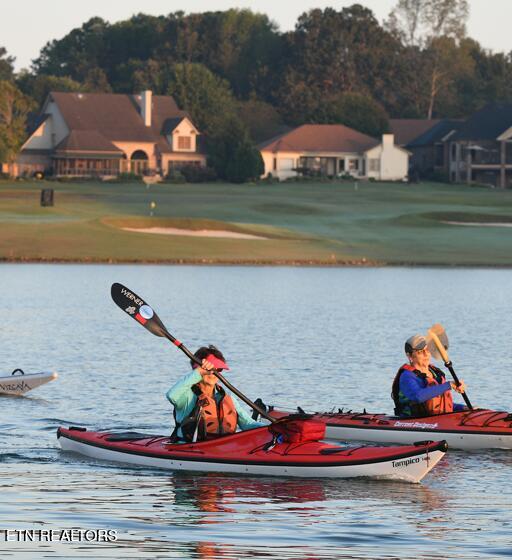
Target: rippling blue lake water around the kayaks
(317, 337)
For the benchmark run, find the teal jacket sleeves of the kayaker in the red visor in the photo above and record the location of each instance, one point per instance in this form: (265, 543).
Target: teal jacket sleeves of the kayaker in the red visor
(184, 401)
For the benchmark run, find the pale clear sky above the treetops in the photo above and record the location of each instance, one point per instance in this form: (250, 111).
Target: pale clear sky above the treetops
(27, 25)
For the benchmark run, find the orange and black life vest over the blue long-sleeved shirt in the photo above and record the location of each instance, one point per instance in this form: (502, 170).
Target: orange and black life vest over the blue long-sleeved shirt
(437, 405)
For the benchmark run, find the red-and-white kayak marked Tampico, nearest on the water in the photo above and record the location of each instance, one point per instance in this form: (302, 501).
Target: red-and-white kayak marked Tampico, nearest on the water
(255, 452)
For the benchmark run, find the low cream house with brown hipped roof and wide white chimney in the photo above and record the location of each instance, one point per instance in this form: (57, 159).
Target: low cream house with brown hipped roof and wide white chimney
(333, 150)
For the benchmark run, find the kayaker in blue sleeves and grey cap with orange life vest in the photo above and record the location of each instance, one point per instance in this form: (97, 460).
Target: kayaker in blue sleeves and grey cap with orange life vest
(419, 388)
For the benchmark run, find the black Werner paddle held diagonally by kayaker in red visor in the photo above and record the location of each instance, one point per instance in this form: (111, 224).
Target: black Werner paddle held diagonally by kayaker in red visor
(144, 314)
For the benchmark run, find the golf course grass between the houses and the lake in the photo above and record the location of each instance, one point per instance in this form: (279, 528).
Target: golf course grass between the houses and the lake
(300, 223)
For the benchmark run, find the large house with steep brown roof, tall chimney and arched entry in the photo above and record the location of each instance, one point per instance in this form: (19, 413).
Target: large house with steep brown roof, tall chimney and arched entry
(104, 134)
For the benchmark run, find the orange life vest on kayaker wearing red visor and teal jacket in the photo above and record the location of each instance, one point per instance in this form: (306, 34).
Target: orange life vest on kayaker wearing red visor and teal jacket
(214, 418)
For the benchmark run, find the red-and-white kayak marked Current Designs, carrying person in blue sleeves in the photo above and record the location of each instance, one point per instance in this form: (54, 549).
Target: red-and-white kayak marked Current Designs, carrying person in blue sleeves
(468, 429)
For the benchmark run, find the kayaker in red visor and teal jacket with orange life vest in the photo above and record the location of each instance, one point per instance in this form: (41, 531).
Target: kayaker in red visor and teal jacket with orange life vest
(202, 409)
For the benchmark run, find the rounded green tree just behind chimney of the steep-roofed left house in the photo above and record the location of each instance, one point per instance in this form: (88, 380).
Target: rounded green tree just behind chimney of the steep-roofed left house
(206, 97)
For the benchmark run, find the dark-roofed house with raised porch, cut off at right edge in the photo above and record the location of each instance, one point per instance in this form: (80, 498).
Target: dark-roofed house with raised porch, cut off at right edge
(481, 149)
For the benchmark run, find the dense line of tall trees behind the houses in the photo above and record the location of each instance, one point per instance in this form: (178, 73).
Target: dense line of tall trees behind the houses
(236, 71)
